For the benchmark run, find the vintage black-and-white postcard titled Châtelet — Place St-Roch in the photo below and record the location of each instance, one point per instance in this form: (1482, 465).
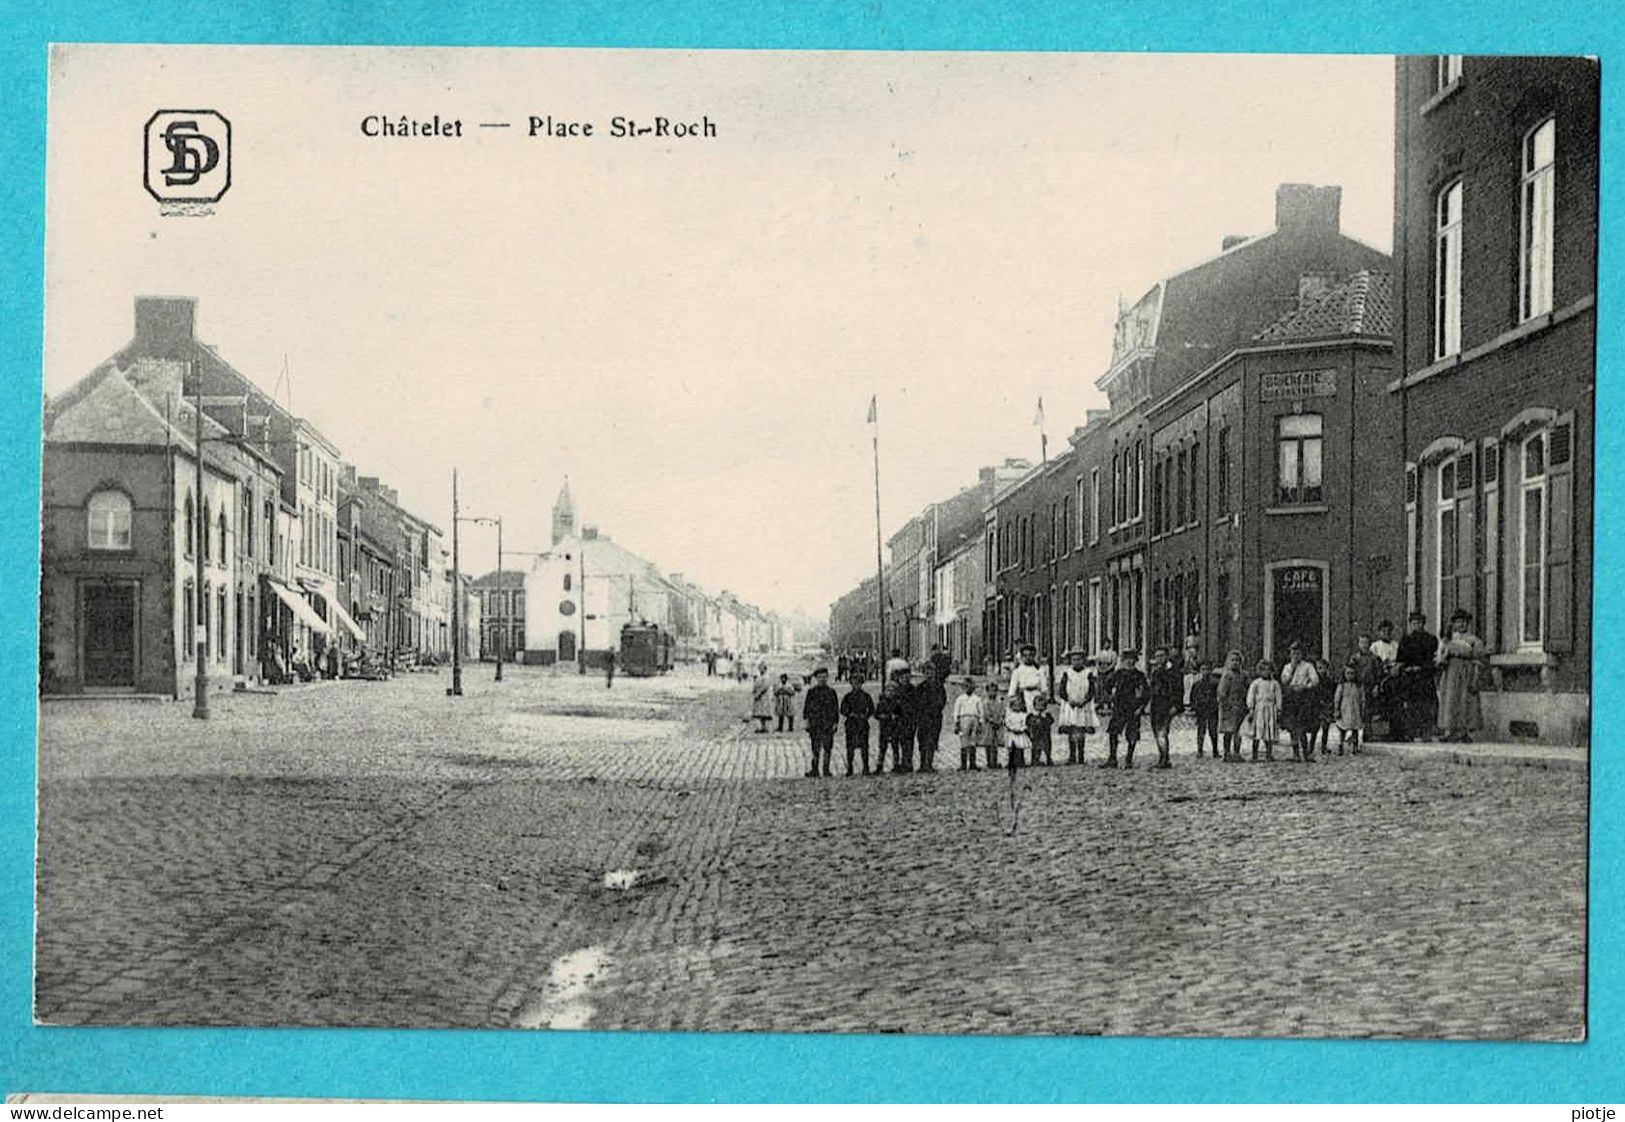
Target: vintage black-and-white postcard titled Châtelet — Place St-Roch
(818, 542)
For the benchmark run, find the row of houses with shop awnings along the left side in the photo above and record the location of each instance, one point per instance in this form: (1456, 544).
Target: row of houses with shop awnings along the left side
(189, 515)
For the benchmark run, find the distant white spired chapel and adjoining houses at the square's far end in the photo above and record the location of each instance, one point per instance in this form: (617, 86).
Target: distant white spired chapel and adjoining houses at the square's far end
(570, 602)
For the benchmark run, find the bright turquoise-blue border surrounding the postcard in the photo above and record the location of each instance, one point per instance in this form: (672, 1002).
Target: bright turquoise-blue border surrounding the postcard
(641, 1068)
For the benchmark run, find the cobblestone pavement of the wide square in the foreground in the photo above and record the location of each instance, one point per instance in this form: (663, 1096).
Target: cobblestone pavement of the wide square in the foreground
(548, 853)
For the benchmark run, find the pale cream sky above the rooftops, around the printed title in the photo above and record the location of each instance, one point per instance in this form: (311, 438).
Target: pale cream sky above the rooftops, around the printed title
(690, 329)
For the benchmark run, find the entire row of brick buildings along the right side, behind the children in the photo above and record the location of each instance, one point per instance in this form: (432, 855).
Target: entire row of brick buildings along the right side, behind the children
(1306, 437)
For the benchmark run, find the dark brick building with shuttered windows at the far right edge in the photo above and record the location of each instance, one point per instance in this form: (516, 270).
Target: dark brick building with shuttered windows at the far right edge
(1496, 241)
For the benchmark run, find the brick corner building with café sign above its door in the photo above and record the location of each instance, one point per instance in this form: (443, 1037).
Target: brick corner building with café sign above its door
(1273, 487)
